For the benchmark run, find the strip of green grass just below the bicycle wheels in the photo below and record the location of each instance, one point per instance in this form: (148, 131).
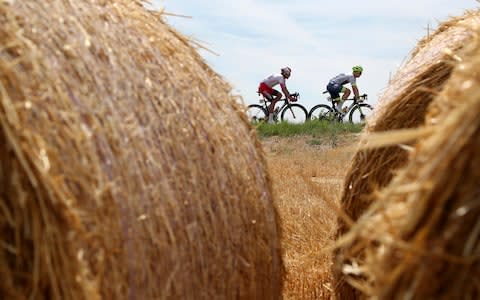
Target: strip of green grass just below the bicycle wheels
(313, 128)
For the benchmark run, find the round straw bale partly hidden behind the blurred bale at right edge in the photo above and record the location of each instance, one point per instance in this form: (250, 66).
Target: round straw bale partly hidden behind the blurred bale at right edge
(402, 106)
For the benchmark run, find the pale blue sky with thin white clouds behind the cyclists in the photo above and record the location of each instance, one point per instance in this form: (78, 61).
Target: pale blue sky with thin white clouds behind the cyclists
(252, 39)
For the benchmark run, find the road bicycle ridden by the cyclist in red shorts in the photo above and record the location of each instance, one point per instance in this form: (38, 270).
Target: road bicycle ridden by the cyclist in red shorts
(293, 113)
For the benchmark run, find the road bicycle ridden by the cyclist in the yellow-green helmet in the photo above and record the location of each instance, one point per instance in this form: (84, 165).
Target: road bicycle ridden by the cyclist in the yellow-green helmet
(357, 111)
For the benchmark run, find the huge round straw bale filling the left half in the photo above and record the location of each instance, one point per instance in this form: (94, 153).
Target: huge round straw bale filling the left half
(127, 170)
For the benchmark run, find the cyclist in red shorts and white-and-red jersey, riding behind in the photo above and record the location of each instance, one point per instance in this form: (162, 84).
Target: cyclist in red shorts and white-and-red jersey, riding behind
(272, 95)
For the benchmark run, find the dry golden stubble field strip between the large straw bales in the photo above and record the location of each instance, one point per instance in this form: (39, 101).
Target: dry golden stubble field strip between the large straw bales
(307, 182)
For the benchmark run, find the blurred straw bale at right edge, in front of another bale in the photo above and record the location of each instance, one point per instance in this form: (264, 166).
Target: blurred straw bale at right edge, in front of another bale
(421, 235)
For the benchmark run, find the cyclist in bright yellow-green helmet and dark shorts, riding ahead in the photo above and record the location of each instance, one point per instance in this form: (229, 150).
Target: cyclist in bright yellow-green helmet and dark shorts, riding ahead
(336, 86)
